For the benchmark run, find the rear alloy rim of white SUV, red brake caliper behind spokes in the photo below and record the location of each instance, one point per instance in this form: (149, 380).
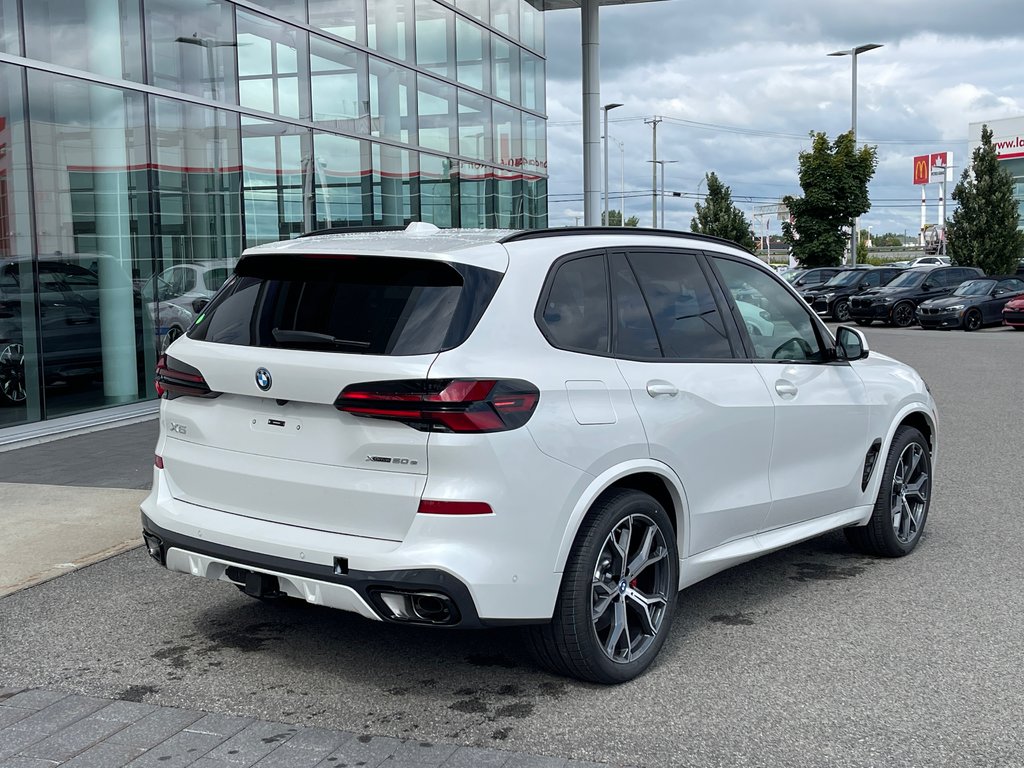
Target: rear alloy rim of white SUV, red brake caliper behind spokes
(631, 590)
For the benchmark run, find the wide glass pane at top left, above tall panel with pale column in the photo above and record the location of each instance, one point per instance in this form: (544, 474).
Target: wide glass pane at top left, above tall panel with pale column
(102, 36)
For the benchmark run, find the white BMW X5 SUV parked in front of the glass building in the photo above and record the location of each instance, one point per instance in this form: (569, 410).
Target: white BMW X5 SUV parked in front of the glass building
(559, 429)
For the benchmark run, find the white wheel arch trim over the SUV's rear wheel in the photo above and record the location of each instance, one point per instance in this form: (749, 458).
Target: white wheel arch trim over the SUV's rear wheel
(658, 481)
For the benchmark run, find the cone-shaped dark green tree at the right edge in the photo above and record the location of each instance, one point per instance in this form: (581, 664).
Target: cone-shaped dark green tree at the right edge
(984, 231)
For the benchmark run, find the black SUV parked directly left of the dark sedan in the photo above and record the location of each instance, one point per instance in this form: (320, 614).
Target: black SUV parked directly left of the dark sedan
(897, 304)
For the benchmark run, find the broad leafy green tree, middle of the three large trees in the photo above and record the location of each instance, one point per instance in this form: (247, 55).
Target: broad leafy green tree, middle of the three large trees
(834, 177)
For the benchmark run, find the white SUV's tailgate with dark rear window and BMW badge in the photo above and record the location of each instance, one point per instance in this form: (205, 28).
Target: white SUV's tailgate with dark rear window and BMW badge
(276, 350)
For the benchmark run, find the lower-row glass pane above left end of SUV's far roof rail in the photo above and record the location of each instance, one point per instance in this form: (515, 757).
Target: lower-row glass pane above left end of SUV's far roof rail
(344, 182)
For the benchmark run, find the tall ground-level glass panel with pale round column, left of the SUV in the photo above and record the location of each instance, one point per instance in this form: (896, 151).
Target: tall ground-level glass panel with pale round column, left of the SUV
(96, 336)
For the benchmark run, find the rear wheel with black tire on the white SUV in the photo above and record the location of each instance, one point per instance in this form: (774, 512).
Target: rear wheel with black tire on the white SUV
(623, 592)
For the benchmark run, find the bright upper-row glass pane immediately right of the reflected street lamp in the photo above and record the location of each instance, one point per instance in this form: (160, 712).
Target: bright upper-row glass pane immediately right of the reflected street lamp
(272, 59)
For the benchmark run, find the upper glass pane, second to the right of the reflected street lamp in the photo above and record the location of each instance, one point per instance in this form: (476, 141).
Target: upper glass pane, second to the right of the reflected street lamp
(339, 87)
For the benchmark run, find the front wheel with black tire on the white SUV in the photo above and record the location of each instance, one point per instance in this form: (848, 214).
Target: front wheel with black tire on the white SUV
(905, 496)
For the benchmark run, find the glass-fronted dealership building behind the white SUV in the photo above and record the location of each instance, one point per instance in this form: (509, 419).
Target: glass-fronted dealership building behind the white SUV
(145, 144)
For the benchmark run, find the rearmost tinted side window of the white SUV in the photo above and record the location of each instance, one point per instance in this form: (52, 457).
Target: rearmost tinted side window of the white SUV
(576, 312)
